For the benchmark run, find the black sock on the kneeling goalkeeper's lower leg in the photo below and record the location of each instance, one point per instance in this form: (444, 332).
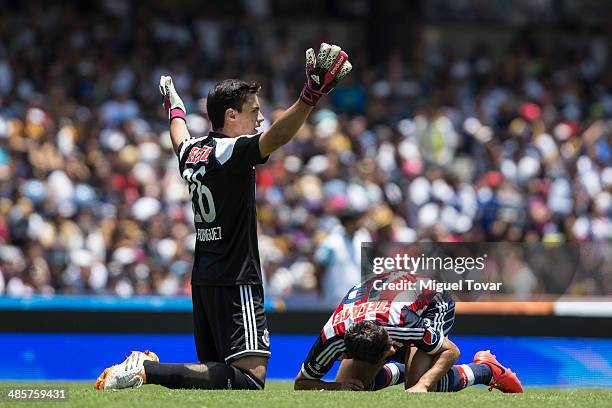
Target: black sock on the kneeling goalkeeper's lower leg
(206, 376)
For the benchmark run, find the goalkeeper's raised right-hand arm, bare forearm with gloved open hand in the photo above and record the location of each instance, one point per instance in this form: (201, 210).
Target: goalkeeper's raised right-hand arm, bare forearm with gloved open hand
(323, 72)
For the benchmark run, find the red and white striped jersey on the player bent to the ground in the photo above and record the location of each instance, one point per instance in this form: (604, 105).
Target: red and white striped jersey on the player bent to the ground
(410, 318)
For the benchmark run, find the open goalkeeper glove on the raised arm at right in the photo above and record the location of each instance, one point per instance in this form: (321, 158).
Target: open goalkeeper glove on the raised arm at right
(324, 72)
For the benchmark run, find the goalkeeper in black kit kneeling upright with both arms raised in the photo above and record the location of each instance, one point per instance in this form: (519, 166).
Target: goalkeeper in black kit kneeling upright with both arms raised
(230, 328)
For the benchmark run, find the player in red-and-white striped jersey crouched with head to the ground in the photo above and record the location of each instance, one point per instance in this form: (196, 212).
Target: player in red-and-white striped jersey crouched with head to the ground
(374, 337)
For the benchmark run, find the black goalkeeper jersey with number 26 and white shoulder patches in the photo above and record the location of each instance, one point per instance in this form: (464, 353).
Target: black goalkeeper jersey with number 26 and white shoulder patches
(220, 172)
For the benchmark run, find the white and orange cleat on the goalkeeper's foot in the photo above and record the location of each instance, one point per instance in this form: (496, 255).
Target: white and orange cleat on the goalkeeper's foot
(129, 374)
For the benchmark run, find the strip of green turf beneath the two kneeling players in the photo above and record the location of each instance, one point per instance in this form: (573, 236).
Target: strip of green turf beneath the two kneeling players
(280, 394)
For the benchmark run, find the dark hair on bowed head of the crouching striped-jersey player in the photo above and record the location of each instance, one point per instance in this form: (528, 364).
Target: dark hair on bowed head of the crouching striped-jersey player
(366, 341)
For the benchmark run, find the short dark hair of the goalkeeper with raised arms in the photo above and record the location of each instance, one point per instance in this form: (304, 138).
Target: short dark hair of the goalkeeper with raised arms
(229, 93)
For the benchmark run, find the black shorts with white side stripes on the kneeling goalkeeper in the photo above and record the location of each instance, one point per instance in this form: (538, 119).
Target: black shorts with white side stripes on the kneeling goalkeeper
(229, 322)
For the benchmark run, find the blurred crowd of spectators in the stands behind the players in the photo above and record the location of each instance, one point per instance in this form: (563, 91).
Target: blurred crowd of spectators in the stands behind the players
(495, 145)
